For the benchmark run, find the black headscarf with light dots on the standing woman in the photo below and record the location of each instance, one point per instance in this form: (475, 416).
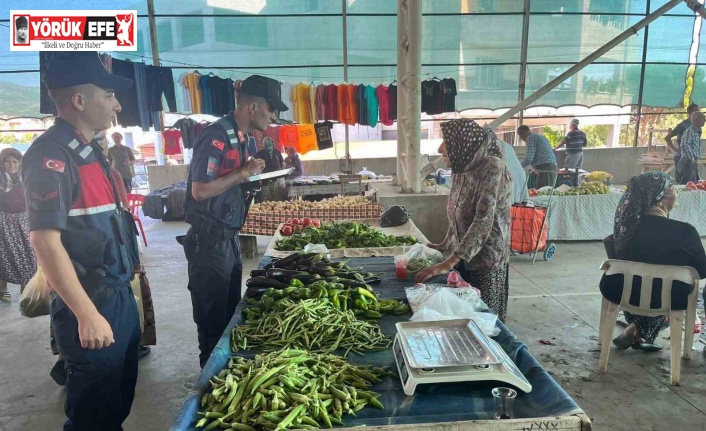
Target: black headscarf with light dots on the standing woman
(468, 144)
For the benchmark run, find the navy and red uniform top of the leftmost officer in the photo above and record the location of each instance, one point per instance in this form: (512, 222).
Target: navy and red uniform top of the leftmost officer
(68, 189)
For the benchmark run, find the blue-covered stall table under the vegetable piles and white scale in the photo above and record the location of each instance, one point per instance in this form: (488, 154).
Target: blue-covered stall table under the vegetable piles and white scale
(434, 406)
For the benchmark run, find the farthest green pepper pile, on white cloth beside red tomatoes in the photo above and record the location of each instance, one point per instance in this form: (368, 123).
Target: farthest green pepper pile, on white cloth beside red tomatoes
(347, 234)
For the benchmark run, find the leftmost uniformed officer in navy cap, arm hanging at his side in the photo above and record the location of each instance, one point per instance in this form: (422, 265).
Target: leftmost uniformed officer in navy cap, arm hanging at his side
(85, 242)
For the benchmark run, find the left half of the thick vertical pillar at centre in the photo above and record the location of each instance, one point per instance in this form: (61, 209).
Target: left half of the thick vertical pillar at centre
(401, 95)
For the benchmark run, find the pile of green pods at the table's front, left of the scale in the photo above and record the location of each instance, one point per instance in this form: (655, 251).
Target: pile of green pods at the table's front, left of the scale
(288, 389)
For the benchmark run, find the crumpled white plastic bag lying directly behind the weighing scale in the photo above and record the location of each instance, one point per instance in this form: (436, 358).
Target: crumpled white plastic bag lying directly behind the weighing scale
(445, 305)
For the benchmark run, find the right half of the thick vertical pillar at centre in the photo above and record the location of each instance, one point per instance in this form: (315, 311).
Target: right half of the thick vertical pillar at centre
(414, 96)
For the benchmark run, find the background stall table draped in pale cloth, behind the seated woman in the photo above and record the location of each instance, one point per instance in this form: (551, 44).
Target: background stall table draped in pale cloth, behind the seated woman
(590, 217)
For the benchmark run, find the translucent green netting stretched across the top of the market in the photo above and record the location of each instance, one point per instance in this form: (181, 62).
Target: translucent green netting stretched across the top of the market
(476, 42)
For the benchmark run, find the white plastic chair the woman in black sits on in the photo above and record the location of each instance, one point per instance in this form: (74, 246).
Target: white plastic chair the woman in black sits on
(668, 274)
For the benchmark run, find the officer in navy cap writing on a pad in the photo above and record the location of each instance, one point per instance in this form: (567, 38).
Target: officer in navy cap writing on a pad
(216, 206)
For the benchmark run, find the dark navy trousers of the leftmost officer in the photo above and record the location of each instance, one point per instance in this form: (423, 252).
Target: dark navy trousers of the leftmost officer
(100, 383)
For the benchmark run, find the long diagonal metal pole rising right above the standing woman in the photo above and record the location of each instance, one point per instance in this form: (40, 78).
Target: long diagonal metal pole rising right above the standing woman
(585, 62)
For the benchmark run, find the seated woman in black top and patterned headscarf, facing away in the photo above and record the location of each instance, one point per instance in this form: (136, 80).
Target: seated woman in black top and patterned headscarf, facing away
(644, 233)
